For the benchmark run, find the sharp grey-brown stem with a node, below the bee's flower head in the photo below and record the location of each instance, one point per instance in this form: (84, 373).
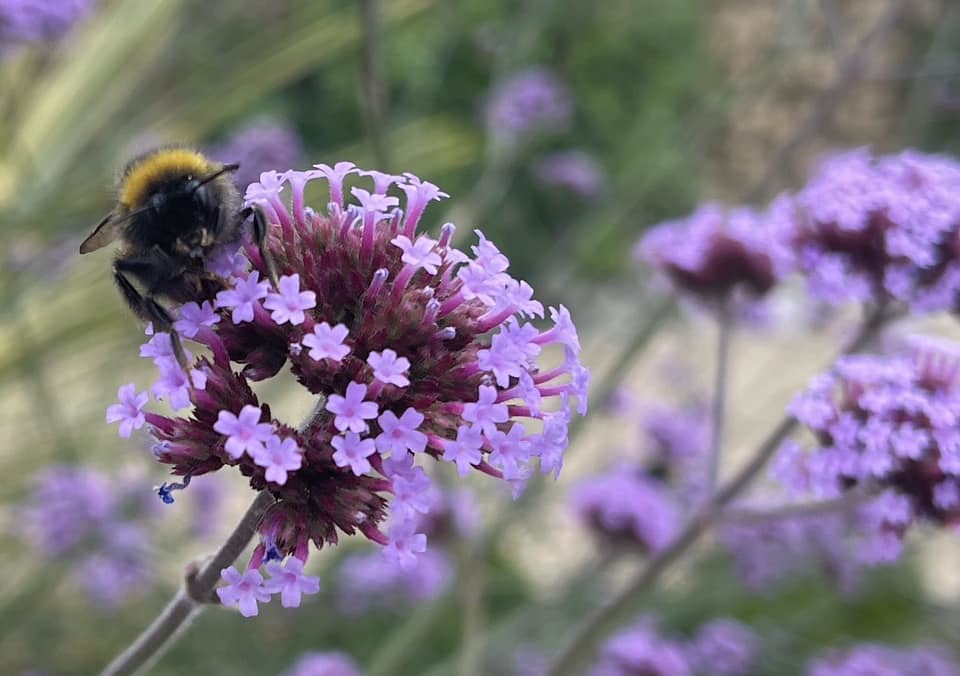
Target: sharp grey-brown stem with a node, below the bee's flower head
(195, 592)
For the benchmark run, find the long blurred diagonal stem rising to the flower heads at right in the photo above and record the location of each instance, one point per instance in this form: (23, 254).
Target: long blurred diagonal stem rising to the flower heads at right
(608, 616)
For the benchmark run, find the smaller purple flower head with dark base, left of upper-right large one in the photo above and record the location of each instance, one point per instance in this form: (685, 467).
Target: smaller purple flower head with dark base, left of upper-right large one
(715, 253)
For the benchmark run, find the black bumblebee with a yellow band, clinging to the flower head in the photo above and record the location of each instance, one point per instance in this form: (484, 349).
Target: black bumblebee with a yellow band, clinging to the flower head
(174, 207)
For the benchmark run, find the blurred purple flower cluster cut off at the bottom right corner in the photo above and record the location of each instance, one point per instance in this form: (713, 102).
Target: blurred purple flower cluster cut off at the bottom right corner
(880, 660)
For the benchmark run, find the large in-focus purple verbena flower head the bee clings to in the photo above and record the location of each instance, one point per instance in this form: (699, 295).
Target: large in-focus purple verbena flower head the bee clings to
(413, 348)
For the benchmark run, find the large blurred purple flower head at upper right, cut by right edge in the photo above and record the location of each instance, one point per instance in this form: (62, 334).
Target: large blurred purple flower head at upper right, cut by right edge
(878, 229)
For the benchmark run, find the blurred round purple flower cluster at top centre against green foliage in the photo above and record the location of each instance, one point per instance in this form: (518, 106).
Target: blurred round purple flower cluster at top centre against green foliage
(528, 101)
